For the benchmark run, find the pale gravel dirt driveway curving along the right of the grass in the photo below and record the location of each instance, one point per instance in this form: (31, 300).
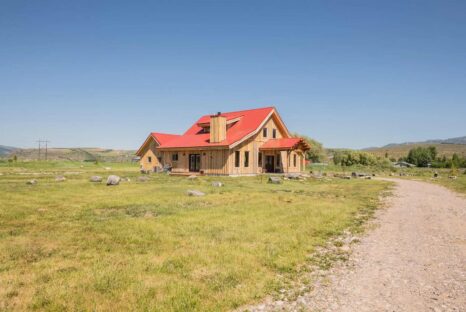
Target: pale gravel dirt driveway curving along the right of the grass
(413, 260)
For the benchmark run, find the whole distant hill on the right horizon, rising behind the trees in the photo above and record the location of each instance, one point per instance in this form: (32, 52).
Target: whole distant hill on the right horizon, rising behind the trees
(445, 147)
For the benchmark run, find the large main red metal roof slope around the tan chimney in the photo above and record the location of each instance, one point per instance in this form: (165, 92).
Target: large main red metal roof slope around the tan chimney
(249, 121)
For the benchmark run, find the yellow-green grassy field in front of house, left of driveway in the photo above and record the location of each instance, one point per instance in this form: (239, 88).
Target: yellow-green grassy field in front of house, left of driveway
(77, 245)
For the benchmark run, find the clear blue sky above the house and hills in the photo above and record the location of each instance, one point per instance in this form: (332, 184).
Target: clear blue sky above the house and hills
(348, 73)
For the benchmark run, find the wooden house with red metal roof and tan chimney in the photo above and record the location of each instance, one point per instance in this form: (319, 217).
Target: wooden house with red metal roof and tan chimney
(245, 142)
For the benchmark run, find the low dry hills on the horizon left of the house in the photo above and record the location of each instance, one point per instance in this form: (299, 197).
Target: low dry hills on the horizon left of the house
(73, 154)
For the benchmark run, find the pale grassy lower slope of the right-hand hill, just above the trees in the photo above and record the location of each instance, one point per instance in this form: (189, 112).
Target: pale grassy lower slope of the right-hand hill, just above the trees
(398, 151)
